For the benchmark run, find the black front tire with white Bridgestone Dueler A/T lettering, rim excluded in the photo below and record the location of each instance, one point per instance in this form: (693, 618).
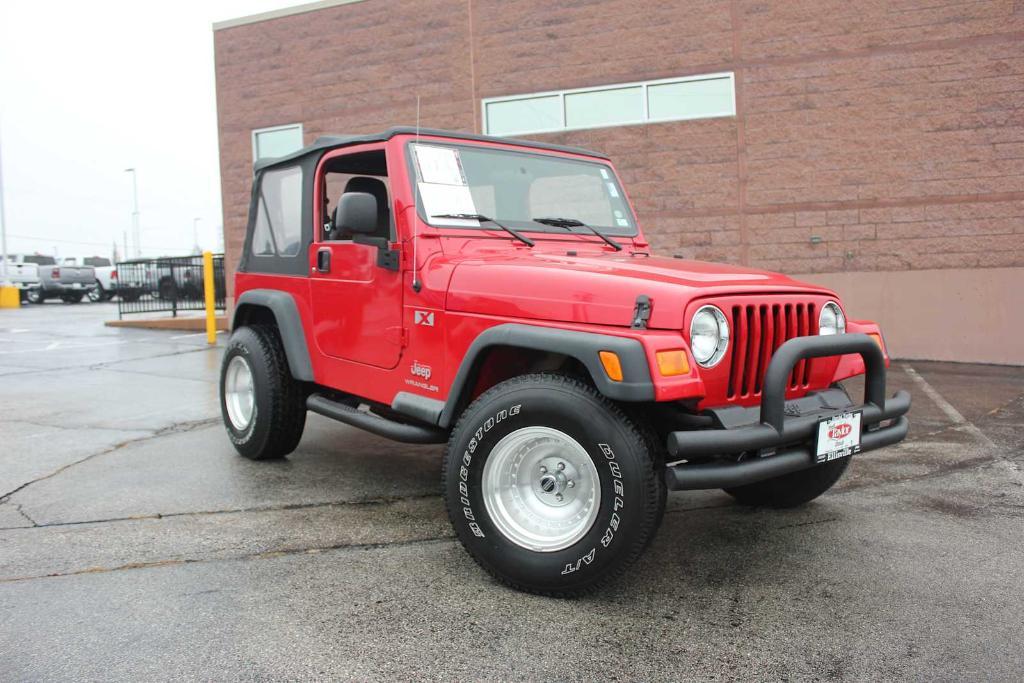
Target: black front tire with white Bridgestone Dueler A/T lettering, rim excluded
(632, 492)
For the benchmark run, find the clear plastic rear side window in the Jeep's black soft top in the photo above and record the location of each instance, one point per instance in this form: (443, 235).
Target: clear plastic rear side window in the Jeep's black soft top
(278, 231)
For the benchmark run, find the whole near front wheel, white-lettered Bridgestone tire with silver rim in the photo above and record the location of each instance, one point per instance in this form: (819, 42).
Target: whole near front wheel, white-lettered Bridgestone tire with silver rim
(550, 487)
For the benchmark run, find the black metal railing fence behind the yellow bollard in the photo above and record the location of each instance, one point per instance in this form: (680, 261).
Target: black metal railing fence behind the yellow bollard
(167, 285)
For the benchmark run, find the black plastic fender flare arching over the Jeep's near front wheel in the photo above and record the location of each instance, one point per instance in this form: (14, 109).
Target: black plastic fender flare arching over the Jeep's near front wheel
(584, 347)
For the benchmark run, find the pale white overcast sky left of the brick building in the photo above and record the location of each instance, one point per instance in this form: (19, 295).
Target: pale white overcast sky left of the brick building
(89, 89)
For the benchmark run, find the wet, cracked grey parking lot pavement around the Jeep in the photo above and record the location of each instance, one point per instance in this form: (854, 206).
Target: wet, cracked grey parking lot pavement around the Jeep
(136, 544)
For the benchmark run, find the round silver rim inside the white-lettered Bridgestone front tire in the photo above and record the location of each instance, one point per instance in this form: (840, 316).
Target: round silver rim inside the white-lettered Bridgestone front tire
(541, 489)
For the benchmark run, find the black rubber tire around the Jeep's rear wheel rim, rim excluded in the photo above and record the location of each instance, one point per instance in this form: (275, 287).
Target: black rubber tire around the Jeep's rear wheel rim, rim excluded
(280, 413)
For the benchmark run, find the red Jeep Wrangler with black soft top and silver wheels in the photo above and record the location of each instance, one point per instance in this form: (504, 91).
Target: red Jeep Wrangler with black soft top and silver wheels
(499, 296)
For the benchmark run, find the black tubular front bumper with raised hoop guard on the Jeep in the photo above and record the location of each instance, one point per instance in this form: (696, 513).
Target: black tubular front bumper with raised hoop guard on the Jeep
(779, 438)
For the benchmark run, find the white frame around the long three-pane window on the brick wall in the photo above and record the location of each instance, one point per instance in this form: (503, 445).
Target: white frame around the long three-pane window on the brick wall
(646, 109)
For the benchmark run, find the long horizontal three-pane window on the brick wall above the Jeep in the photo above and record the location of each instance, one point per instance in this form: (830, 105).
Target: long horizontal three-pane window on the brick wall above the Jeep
(620, 105)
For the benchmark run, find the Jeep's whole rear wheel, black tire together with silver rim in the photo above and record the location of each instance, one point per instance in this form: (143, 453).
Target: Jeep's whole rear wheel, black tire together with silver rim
(263, 406)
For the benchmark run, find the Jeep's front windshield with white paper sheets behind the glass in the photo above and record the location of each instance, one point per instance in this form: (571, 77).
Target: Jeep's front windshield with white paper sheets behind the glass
(516, 188)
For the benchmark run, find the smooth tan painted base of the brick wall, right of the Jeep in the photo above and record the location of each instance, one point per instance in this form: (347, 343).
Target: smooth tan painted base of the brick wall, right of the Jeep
(970, 316)
